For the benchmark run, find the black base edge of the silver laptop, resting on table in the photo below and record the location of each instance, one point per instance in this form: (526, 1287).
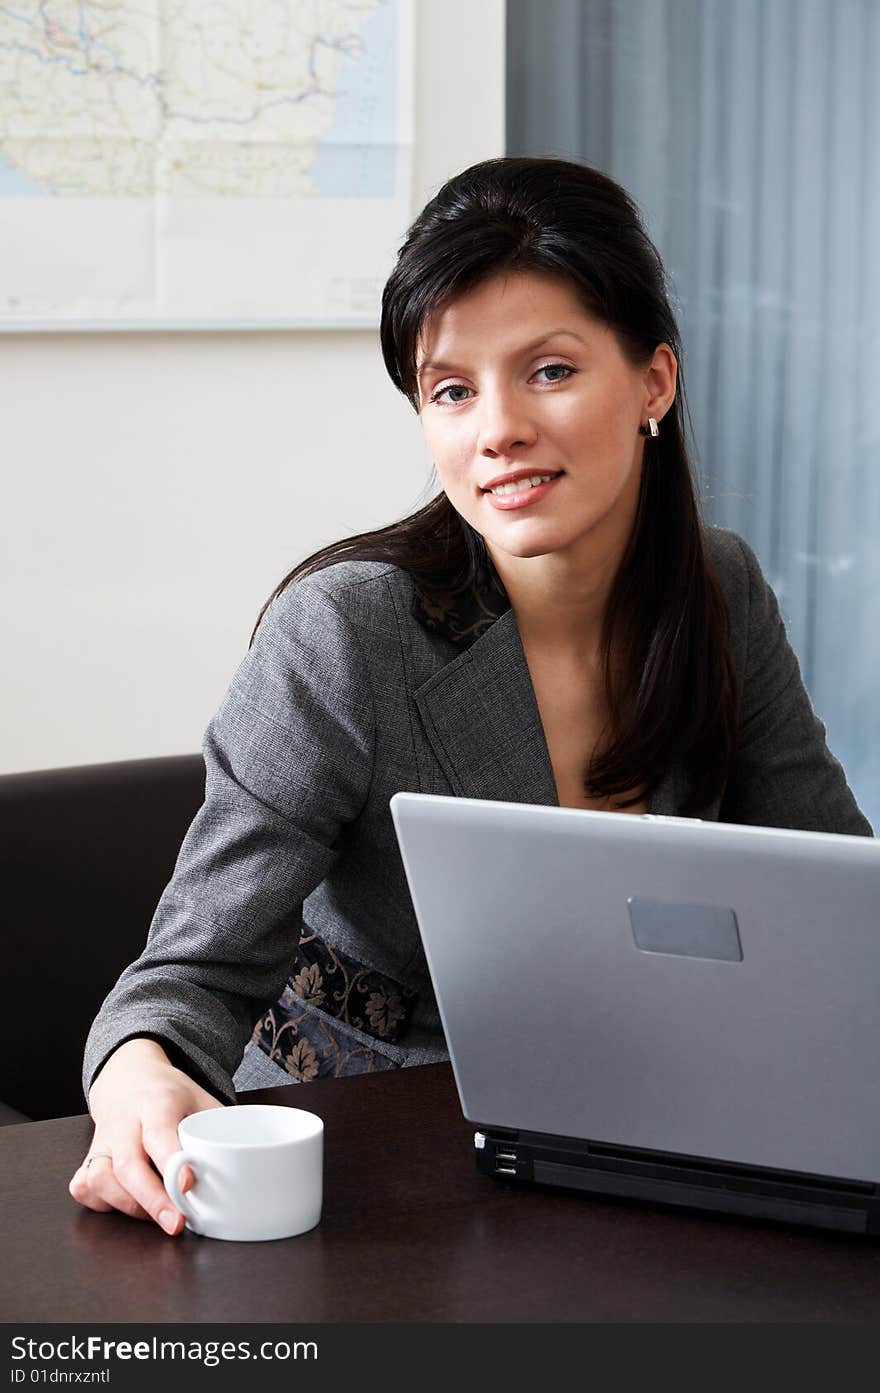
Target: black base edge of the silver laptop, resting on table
(629, 1174)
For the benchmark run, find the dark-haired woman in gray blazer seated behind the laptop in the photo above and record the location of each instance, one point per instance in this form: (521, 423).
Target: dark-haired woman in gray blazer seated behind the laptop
(556, 628)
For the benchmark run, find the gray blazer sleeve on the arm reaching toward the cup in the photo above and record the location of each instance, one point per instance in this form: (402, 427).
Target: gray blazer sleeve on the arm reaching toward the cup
(289, 763)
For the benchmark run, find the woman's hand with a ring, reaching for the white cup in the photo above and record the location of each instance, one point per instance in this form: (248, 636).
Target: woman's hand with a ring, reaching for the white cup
(137, 1103)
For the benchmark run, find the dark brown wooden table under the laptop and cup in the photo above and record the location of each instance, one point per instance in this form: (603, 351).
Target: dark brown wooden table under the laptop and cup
(410, 1234)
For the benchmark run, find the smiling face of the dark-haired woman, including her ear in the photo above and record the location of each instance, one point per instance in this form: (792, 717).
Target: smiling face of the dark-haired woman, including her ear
(517, 384)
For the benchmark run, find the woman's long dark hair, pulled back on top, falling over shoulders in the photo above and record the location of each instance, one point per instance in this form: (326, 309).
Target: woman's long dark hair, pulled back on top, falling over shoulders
(669, 672)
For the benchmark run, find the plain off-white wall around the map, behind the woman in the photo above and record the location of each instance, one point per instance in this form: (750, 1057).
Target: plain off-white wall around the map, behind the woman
(154, 488)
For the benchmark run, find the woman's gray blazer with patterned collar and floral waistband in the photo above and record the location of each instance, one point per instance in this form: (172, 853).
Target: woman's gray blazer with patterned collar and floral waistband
(290, 889)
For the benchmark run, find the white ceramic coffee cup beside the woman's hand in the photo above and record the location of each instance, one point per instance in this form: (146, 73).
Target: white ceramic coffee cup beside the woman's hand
(258, 1172)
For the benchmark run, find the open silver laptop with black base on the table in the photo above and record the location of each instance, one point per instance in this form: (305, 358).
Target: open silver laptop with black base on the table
(658, 1008)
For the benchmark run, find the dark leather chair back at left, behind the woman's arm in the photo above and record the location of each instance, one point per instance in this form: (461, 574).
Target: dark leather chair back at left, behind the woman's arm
(86, 855)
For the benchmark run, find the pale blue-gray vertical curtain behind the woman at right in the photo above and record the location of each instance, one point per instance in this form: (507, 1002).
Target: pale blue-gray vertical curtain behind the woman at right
(750, 134)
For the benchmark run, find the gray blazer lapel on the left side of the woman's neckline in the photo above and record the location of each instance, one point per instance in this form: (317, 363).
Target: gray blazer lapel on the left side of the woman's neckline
(482, 721)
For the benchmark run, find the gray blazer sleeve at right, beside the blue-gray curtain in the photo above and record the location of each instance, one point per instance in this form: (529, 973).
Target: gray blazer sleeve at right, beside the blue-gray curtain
(785, 775)
